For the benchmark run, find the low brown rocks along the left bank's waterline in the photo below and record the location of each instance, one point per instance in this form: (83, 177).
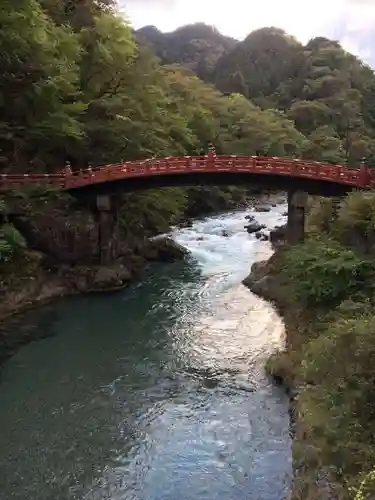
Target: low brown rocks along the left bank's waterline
(43, 285)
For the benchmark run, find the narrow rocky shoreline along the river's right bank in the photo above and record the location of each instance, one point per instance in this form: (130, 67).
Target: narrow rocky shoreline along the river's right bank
(266, 282)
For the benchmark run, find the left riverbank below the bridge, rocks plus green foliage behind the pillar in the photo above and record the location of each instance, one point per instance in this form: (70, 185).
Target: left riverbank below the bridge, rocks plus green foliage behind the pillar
(49, 241)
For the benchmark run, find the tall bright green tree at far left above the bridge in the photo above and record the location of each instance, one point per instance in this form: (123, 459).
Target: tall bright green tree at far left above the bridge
(39, 73)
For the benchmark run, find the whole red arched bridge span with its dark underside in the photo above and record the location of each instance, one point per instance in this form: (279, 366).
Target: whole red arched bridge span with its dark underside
(310, 176)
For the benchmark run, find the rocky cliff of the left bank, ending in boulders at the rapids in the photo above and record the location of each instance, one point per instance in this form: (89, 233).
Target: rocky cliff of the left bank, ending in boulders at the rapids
(58, 253)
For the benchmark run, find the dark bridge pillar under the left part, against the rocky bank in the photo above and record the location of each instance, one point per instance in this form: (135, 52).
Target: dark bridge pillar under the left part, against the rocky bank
(107, 220)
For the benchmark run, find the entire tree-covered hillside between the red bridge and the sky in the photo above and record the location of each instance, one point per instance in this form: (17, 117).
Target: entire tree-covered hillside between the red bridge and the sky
(77, 85)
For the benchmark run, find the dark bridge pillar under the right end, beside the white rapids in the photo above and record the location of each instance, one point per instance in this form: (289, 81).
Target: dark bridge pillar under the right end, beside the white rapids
(297, 201)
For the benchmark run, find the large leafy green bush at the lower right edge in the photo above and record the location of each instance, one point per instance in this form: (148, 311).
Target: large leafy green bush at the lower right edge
(341, 413)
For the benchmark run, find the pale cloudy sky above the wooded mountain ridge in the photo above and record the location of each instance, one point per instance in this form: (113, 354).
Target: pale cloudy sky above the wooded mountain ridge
(350, 21)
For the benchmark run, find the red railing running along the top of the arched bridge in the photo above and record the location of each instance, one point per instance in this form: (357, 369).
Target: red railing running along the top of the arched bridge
(361, 177)
